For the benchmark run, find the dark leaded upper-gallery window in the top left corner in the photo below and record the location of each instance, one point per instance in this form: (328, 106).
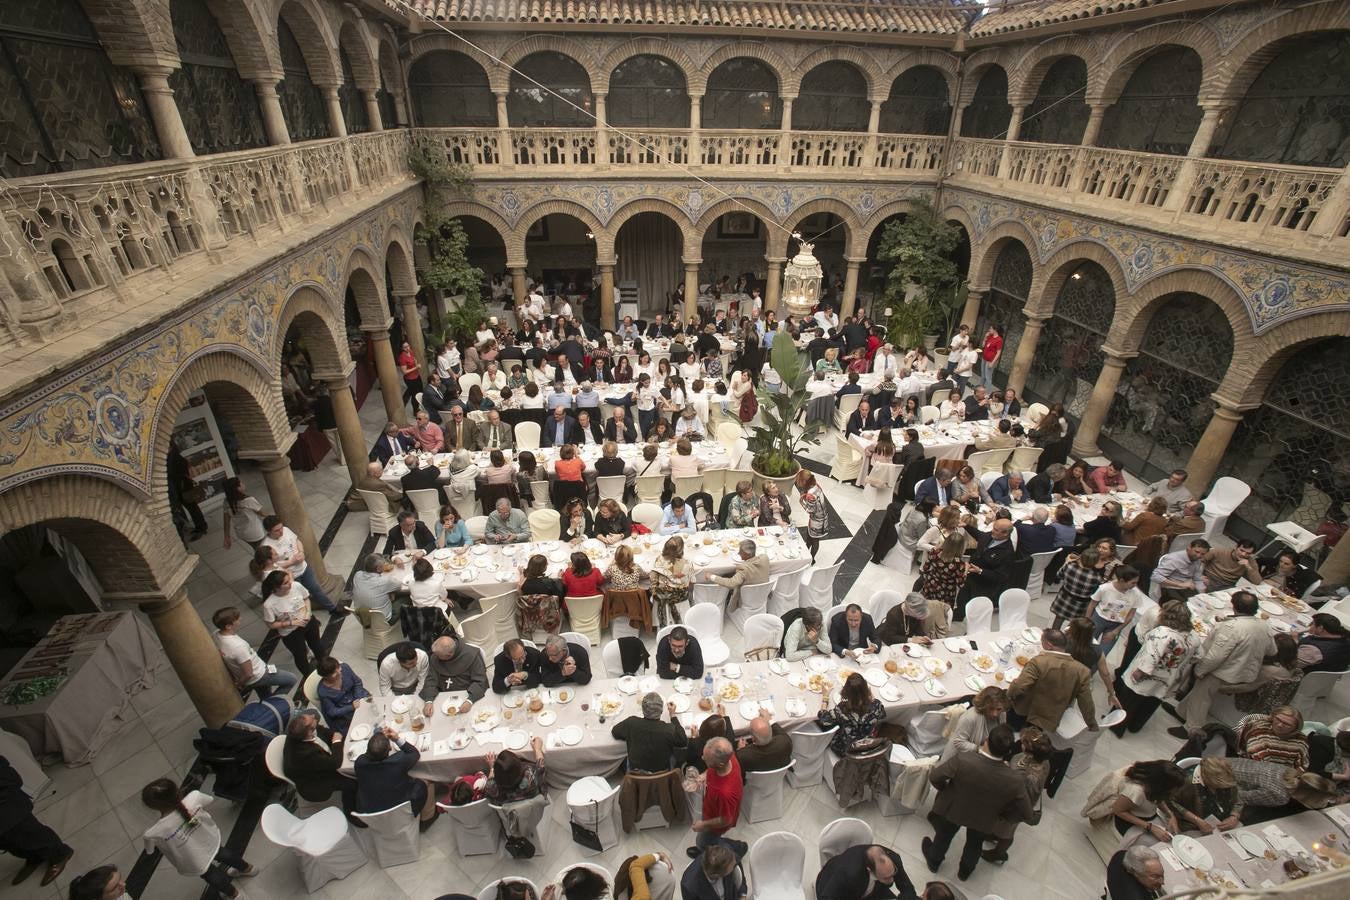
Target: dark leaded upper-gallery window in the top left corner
(63, 105)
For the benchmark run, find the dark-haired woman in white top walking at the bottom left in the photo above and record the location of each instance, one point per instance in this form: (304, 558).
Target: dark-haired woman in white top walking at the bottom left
(190, 839)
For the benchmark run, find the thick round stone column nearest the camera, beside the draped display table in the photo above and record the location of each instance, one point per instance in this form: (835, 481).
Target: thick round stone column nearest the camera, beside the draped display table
(195, 659)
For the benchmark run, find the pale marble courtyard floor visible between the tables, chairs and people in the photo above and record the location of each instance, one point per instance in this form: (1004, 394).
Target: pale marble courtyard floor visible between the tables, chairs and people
(97, 809)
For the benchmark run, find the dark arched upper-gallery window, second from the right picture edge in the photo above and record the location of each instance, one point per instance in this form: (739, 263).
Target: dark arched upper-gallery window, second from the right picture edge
(1158, 109)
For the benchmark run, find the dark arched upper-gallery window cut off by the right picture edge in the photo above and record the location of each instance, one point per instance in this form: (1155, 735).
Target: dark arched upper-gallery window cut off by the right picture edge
(1298, 110)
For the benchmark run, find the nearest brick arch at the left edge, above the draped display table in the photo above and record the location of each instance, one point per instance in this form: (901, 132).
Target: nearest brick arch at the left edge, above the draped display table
(129, 550)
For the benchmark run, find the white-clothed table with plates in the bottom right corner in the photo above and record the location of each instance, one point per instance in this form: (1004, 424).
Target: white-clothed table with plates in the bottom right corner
(1258, 856)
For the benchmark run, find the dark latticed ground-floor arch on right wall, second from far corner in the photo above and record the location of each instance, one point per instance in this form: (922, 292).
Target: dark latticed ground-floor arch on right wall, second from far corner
(1070, 358)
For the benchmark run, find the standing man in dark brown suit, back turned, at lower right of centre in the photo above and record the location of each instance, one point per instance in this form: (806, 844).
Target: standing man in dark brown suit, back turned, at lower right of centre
(981, 793)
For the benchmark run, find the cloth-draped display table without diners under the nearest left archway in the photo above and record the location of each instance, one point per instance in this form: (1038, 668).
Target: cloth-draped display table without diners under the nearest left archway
(67, 694)
